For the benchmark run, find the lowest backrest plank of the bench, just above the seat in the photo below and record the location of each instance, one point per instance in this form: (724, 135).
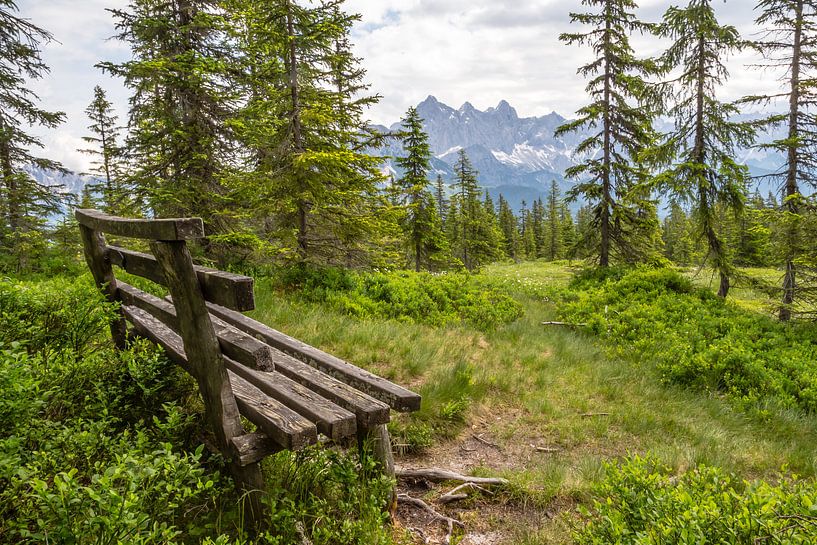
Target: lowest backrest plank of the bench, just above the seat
(234, 343)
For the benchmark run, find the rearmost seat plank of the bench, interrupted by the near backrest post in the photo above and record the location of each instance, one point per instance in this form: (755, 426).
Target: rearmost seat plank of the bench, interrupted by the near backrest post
(284, 426)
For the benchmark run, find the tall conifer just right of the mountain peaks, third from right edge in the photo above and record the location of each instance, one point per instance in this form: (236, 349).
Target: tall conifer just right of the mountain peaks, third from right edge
(623, 122)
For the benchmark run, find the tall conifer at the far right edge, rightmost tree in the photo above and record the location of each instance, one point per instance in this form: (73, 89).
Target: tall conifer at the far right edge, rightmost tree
(790, 43)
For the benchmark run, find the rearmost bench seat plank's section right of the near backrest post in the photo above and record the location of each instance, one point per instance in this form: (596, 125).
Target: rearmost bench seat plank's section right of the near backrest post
(286, 427)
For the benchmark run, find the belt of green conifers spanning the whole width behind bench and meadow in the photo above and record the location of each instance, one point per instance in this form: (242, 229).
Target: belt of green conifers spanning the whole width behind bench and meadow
(251, 115)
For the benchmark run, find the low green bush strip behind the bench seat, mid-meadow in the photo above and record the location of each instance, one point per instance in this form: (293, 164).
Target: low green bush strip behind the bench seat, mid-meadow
(433, 299)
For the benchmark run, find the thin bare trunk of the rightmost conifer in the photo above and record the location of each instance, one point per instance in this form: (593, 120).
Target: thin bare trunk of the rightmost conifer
(791, 189)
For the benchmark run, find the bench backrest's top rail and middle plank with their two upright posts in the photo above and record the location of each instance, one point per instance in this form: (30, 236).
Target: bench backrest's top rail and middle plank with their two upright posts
(190, 287)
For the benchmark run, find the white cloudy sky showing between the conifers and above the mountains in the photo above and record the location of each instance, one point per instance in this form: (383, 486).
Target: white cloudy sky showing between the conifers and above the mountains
(480, 51)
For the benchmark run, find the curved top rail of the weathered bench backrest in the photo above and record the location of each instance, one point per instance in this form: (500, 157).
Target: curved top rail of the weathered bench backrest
(156, 229)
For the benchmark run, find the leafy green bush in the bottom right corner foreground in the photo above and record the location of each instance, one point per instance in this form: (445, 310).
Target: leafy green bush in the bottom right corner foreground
(642, 503)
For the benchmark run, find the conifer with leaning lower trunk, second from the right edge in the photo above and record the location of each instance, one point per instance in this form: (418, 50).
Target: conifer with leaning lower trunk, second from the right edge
(702, 146)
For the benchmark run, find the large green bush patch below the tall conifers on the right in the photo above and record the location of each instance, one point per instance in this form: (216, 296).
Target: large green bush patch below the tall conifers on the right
(694, 338)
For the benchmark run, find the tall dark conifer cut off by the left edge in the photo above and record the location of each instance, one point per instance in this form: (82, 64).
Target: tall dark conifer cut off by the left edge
(24, 202)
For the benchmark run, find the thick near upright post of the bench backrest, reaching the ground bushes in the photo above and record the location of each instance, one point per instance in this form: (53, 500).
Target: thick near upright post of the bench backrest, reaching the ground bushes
(207, 366)
